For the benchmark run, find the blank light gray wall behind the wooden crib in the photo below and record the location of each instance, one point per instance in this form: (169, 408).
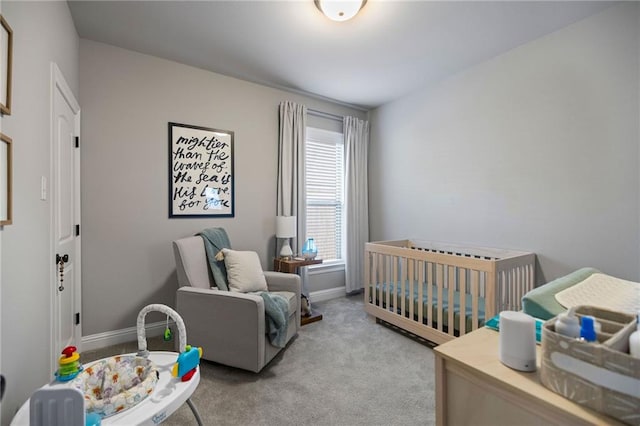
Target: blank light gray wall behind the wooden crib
(536, 149)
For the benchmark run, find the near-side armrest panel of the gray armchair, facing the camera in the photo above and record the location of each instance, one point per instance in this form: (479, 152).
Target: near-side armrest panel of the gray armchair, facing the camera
(237, 319)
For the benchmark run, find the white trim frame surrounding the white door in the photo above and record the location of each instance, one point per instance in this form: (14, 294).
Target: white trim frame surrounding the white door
(58, 83)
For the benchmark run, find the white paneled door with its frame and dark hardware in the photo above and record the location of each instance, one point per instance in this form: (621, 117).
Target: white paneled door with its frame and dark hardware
(65, 216)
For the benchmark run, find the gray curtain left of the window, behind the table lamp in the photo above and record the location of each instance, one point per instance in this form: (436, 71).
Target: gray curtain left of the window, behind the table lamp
(291, 197)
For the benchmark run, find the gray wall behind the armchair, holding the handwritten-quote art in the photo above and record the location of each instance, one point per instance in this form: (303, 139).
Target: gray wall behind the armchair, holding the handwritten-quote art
(127, 99)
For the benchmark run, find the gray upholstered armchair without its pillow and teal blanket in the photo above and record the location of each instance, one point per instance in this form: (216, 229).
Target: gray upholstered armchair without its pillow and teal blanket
(230, 327)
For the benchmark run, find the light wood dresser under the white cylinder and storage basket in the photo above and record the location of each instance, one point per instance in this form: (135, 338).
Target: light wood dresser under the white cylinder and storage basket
(474, 388)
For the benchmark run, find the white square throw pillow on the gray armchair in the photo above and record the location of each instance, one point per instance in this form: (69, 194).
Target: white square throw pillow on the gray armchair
(244, 271)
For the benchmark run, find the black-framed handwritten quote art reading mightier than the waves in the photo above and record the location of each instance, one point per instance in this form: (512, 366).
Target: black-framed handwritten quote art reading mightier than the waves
(201, 181)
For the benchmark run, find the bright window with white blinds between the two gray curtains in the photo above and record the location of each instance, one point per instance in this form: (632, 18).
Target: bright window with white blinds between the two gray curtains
(324, 180)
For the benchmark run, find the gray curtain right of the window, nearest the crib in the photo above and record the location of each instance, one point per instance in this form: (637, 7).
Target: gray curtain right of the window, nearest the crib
(356, 136)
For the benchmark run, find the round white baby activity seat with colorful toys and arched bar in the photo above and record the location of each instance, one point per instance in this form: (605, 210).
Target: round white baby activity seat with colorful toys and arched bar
(104, 384)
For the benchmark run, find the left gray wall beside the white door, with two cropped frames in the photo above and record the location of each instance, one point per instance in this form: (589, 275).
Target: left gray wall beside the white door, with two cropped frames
(43, 32)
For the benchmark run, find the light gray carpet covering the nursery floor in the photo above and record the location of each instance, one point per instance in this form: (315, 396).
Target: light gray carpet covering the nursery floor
(343, 370)
